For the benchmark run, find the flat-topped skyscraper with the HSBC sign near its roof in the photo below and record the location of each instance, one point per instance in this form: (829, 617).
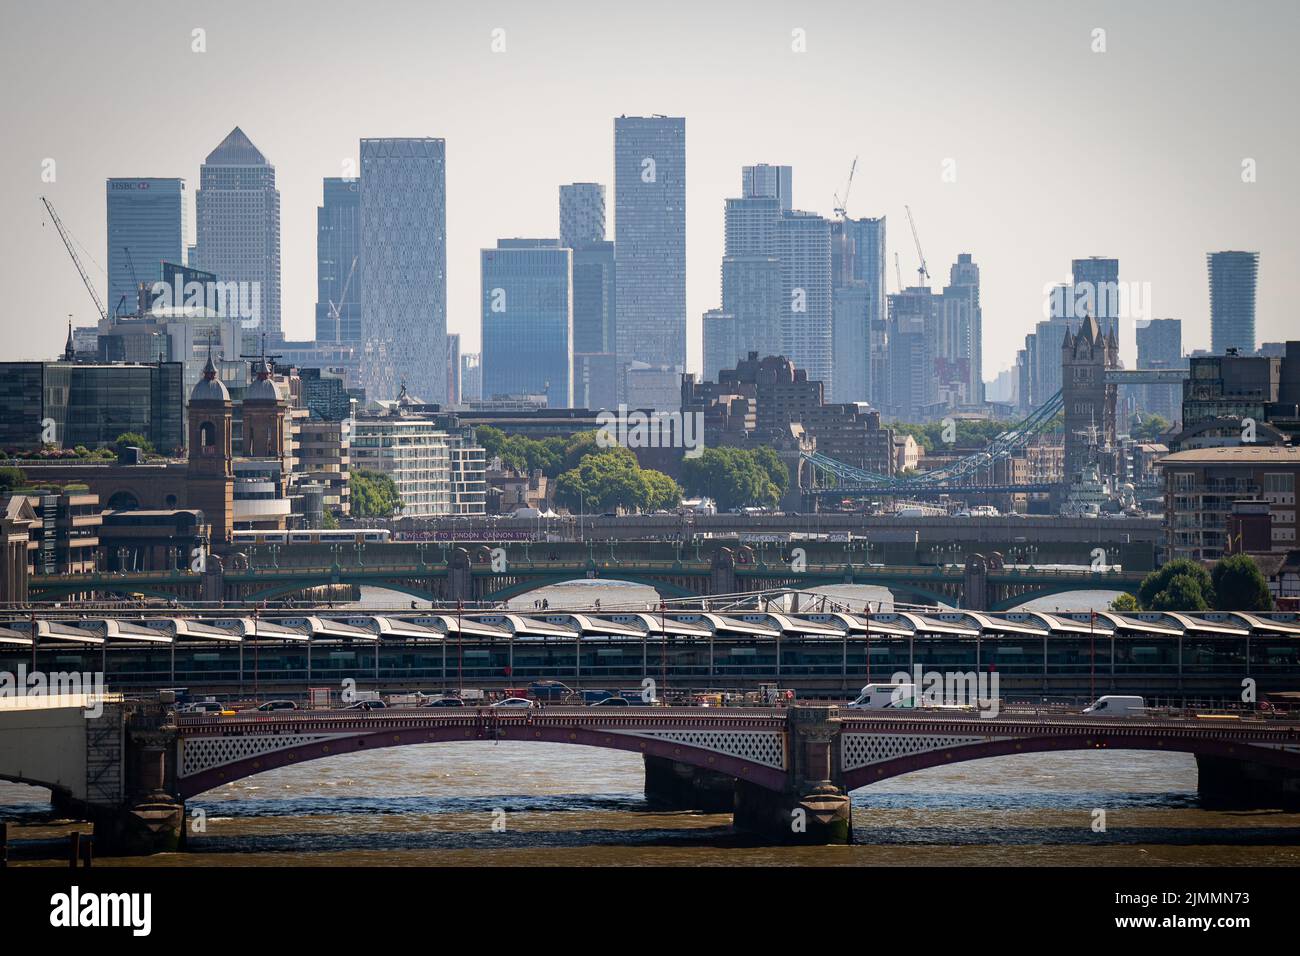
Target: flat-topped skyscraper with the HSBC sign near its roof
(146, 228)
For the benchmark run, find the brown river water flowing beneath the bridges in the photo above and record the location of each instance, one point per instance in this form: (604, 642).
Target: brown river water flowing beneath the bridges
(484, 803)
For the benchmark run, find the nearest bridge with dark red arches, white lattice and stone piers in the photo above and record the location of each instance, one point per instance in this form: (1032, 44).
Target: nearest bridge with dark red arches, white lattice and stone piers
(785, 773)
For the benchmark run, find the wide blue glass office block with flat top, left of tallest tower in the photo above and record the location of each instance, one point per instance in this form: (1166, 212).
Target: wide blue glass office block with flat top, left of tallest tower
(528, 321)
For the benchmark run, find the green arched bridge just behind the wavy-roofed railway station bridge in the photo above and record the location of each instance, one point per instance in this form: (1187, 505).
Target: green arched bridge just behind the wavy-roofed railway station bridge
(484, 574)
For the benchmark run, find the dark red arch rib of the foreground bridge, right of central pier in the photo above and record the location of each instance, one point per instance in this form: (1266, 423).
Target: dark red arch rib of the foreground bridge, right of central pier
(1152, 742)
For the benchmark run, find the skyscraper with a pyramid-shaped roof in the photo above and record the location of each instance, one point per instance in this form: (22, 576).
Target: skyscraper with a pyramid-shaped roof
(237, 226)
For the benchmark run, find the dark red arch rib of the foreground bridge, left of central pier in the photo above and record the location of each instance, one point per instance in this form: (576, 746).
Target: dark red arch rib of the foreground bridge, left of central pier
(322, 749)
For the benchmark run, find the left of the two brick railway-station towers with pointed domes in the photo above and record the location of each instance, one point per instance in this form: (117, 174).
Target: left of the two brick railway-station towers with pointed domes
(211, 470)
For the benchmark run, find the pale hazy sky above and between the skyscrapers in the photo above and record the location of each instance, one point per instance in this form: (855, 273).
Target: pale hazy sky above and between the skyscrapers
(1060, 152)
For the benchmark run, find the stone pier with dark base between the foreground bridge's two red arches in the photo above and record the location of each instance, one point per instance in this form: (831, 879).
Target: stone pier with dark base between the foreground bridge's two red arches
(813, 810)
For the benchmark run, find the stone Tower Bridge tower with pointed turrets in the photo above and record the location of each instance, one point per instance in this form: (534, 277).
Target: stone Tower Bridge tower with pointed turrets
(1089, 400)
